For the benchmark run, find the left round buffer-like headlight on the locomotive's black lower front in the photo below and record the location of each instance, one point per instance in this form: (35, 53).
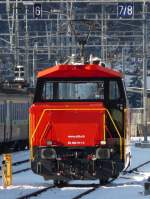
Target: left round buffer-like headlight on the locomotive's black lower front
(48, 153)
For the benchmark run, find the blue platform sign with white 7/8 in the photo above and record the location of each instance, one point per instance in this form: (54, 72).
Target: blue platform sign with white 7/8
(125, 10)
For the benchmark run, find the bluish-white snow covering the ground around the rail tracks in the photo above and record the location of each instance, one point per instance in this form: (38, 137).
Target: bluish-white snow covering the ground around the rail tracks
(130, 187)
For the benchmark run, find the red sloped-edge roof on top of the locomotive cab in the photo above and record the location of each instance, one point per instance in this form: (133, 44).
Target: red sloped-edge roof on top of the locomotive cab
(78, 71)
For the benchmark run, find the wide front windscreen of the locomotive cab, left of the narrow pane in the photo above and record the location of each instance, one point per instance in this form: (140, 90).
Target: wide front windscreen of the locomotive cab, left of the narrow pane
(72, 91)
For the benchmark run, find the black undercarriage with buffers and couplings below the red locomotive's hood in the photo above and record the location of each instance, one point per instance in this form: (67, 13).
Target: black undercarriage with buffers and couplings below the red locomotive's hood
(76, 163)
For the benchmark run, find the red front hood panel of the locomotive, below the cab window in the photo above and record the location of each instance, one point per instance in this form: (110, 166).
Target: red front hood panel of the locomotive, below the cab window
(71, 126)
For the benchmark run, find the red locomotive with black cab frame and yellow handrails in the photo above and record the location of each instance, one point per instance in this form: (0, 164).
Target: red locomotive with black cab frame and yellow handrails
(78, 123)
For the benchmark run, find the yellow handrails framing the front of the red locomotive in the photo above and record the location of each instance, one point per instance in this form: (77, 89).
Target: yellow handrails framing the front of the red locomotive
(67, 109)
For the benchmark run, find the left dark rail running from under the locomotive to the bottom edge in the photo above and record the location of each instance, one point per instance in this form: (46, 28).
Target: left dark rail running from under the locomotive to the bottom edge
(36, 193)
